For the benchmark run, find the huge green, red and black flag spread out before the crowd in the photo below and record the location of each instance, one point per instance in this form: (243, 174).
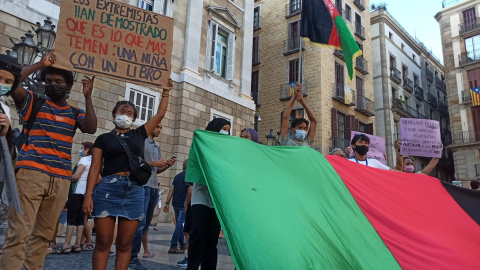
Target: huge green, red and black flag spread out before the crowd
(293, 208)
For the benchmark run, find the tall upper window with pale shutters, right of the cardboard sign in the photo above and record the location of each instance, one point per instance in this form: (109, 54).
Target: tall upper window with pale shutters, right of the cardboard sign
(221, 51)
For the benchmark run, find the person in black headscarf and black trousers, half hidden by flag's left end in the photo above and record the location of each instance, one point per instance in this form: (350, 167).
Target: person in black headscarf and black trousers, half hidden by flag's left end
(205, 225)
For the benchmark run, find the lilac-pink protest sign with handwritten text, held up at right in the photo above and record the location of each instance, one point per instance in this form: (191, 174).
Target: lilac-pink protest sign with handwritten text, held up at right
(420, 137)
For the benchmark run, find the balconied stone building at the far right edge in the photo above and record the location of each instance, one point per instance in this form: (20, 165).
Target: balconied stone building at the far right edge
(460, 30)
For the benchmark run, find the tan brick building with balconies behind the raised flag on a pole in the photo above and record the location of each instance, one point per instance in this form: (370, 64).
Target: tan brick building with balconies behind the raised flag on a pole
(325, 81)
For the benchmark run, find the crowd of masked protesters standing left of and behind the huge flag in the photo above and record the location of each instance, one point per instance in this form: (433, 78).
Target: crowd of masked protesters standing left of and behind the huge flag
(110, 183)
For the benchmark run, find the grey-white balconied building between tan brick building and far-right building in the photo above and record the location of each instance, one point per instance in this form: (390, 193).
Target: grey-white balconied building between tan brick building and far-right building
(409, 83)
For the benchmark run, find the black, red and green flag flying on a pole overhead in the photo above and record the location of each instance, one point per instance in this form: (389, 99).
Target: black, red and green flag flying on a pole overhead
(322, 25)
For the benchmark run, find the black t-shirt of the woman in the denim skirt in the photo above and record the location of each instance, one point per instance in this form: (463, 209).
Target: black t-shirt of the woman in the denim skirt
(115, 159)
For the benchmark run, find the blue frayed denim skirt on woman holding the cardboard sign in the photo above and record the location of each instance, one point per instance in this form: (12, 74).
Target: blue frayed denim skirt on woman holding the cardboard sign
(118, 196)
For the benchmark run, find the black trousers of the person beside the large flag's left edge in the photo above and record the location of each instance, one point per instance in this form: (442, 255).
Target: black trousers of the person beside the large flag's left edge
(202, 246)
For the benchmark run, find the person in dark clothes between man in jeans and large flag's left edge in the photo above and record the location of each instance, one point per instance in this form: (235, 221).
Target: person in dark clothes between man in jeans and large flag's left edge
(178, 192)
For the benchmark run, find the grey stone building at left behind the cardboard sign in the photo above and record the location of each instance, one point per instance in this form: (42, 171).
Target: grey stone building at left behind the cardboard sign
(211, 70)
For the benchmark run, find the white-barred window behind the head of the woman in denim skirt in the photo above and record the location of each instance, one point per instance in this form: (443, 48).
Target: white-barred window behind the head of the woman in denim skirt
(145, 100)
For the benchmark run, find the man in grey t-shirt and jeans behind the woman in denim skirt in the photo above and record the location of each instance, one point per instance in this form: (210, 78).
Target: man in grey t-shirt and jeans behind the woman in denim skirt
(153, 156)
